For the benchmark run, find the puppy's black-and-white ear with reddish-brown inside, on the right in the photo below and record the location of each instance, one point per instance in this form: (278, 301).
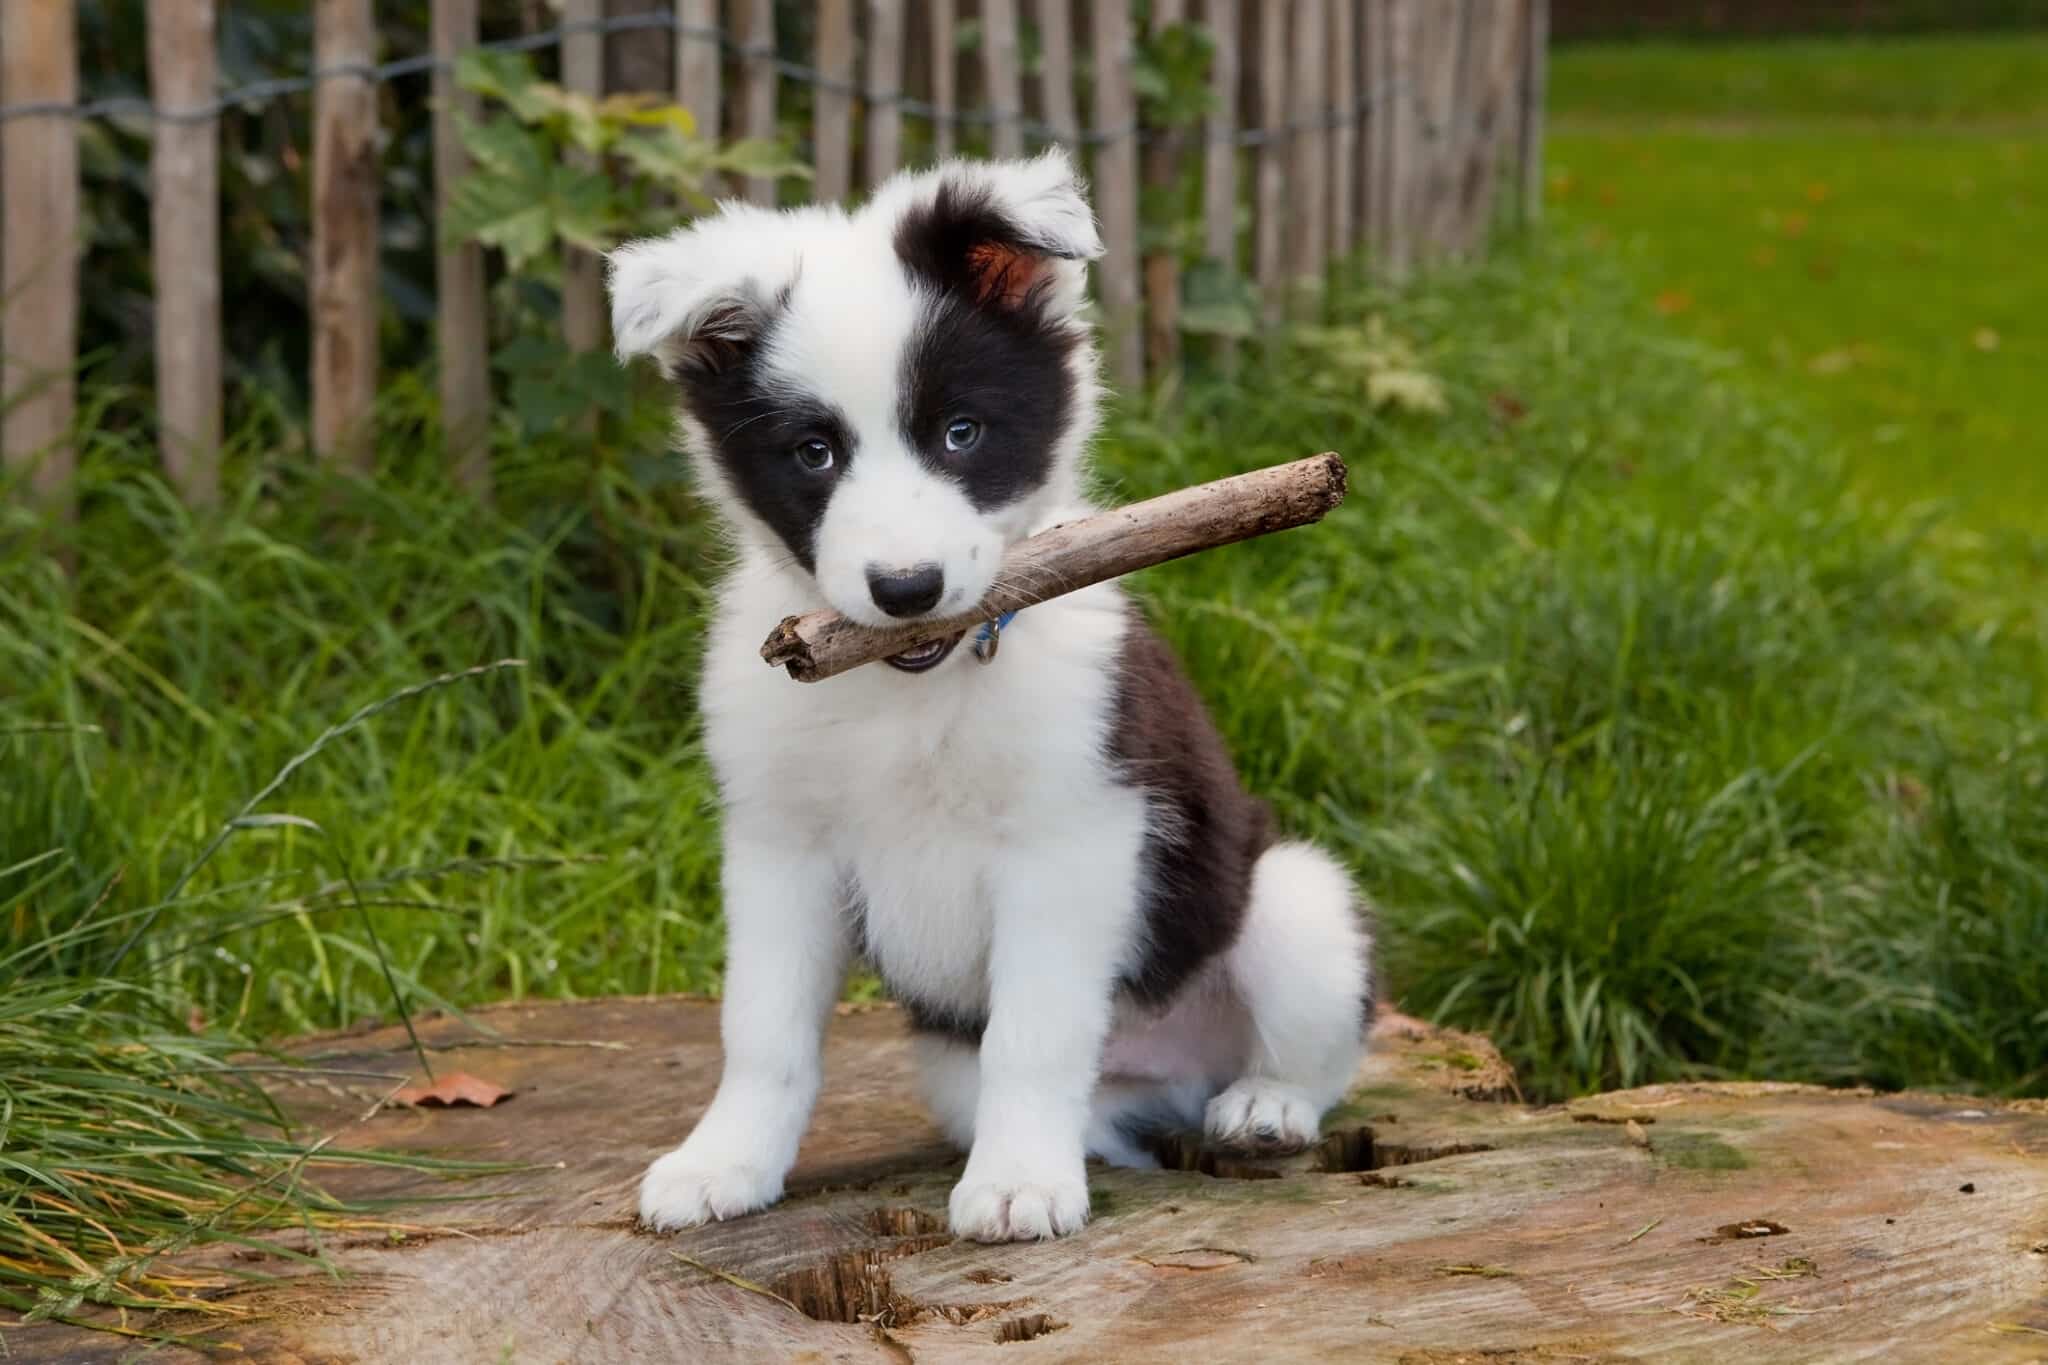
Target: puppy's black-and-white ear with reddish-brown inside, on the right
(1000, 234)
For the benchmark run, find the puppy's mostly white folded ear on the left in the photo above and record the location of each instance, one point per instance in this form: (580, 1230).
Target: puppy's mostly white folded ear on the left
(691, 300)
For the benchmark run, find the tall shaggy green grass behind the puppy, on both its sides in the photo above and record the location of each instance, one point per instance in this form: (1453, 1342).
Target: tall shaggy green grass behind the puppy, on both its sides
(1662, 750)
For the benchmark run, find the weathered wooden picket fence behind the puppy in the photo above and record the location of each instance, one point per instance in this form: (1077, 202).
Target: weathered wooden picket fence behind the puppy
(1373, 130)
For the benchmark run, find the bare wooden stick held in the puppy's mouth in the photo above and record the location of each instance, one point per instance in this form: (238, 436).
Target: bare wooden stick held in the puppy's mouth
(1078, 554)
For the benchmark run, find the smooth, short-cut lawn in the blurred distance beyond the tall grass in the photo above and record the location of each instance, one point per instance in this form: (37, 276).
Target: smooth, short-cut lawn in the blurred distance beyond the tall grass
(1859, 220)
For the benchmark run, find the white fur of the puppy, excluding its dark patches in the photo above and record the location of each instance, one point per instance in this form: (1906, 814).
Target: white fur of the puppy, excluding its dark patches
(968, 826)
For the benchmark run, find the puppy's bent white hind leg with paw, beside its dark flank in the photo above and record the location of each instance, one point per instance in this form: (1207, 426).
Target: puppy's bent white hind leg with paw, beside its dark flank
(1304, 971)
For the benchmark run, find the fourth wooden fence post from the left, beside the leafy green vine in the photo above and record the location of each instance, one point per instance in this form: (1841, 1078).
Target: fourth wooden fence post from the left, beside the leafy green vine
(462, 331)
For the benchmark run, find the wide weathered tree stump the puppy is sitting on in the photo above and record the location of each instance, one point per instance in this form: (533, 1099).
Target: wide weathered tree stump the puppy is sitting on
(1439, 1221)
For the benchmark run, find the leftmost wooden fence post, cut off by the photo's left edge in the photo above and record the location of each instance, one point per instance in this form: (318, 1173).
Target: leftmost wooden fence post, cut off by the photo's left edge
(40, 240)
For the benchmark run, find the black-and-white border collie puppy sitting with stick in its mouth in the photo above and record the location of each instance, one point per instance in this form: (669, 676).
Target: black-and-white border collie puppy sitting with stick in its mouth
(1091, 926)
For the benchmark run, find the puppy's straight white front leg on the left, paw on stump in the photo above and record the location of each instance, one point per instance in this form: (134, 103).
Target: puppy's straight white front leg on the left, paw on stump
(785, 961)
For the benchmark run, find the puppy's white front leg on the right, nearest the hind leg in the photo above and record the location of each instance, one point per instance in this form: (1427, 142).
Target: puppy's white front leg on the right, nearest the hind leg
(1064, 922)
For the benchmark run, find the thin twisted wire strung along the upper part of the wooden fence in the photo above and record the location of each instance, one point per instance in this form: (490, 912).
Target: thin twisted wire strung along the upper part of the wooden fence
(275, 89)
